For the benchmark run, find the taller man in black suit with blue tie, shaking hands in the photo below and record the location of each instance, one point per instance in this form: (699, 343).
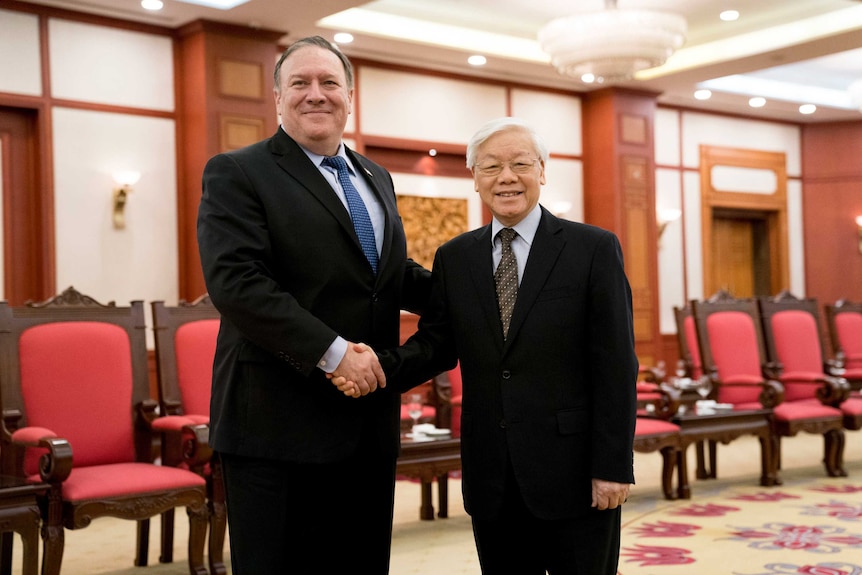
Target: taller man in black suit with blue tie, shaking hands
(309, 473)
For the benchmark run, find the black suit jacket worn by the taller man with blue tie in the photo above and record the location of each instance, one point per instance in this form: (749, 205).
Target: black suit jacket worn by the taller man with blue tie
(283, 265)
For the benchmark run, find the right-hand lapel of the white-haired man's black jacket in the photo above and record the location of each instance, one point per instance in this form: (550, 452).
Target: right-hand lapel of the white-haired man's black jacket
(546, 248)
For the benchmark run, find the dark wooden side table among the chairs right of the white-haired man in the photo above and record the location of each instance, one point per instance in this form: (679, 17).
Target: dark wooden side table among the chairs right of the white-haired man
(724, 427)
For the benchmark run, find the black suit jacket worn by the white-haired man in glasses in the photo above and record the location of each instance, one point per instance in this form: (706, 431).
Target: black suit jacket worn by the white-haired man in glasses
(557, 398)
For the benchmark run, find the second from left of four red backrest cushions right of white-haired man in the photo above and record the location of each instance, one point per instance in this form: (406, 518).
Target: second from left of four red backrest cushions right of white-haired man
(734, 347)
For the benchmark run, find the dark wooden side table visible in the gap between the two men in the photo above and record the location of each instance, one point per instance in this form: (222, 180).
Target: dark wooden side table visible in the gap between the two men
(426, 460)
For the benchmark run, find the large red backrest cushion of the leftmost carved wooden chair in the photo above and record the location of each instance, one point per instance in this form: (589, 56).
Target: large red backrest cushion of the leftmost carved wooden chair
(76, 380)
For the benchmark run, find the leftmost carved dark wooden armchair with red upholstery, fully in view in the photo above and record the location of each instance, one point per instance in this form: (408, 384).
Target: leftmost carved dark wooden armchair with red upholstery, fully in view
(76, 415)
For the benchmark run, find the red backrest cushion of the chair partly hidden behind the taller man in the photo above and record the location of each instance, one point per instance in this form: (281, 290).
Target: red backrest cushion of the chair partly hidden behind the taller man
(194, 345)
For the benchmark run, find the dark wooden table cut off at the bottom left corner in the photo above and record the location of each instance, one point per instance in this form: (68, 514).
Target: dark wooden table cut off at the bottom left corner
(19, 512)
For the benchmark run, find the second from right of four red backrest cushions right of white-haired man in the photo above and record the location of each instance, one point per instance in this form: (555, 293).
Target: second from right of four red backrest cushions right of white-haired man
(797, 345)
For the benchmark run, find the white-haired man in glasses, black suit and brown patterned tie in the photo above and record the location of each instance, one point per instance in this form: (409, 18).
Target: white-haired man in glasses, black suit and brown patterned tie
(548, 410)
